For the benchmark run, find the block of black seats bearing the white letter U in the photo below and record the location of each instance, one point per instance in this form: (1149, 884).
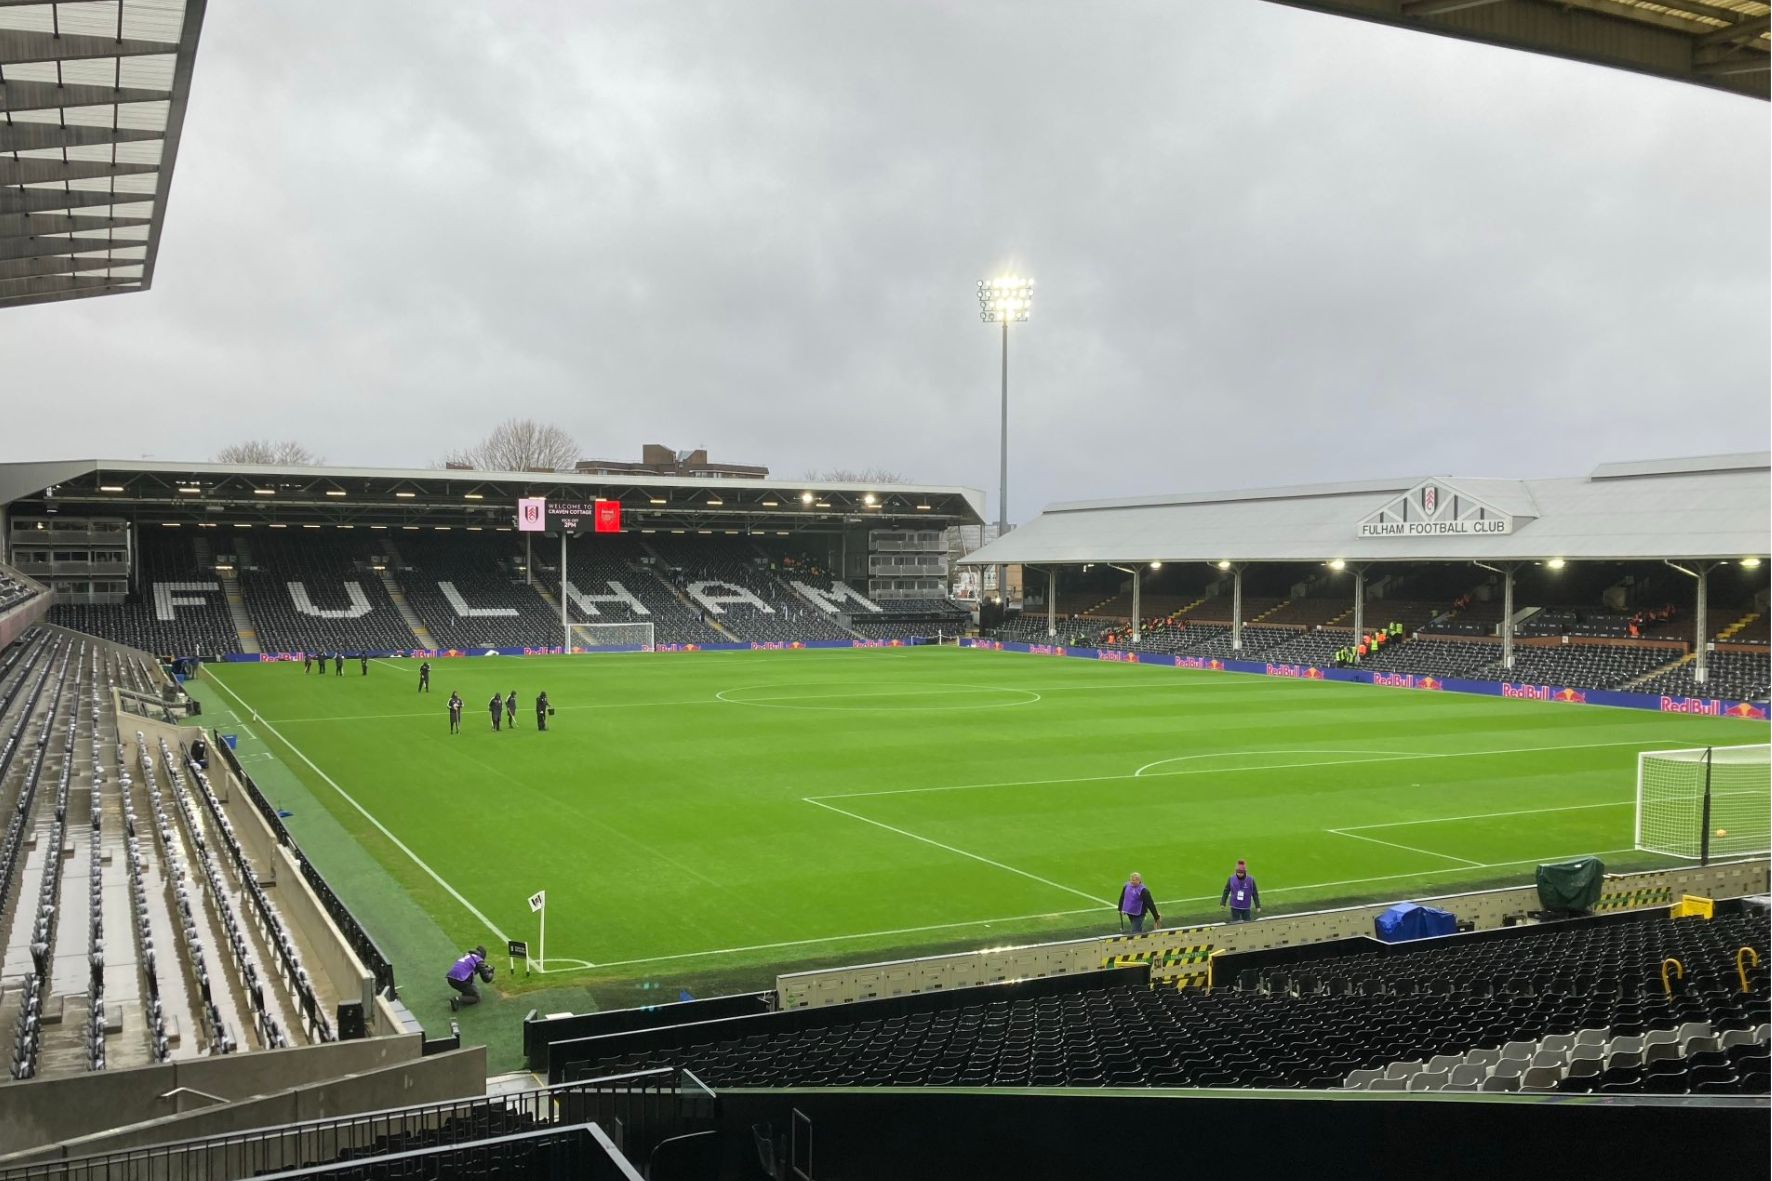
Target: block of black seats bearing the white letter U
(313, 595)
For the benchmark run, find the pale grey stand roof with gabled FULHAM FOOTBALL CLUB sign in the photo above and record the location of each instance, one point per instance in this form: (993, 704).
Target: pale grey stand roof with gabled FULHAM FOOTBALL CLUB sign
(1709, 508)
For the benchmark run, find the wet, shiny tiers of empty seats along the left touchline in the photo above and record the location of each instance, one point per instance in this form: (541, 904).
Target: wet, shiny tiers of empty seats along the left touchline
(128, 948)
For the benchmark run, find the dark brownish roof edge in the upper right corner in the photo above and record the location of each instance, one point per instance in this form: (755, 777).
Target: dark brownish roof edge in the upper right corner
(1709, 43)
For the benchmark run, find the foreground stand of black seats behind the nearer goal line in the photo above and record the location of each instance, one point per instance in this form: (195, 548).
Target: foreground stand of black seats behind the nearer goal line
(1312, 1022)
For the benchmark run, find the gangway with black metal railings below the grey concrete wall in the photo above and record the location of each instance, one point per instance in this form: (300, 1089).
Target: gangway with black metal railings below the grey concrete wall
(639, 1107)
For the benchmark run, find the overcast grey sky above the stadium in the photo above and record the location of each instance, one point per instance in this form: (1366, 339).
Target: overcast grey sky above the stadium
(1270, 247)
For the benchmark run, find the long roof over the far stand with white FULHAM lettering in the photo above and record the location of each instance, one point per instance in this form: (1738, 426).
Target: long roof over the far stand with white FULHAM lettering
(201, 492)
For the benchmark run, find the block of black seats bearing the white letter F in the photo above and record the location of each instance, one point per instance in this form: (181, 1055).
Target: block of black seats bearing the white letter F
(176, 606)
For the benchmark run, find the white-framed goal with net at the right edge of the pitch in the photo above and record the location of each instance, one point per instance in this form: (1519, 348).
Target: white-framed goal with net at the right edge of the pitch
(1706, 802)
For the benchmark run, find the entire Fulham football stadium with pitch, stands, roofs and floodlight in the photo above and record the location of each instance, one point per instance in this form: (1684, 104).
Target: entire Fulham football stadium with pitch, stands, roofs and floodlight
(680, 820)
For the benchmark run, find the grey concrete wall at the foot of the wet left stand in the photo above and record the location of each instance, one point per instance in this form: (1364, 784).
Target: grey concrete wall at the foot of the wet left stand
(52, 1111)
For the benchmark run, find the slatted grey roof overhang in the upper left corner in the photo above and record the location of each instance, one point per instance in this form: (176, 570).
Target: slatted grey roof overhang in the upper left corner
(91, 109)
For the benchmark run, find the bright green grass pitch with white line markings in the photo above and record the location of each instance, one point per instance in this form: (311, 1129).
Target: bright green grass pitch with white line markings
(711, 818)
